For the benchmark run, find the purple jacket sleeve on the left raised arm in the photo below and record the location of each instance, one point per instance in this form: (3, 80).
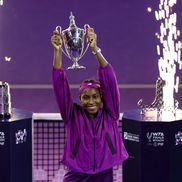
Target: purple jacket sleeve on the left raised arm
(62, 93)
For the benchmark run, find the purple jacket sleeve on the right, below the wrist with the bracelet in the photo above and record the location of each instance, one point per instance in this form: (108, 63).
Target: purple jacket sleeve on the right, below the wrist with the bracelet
(110, 90)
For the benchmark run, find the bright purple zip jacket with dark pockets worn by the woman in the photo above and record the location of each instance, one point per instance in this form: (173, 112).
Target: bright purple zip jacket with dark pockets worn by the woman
(92, 145)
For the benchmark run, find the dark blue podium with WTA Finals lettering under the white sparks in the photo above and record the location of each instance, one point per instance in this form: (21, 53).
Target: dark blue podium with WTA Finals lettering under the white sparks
(154, 147)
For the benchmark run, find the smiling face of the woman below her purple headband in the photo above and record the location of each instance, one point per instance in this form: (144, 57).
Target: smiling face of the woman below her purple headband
(90, 99)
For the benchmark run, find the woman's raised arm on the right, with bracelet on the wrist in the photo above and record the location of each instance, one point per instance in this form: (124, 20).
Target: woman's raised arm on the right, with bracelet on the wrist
(107, 77)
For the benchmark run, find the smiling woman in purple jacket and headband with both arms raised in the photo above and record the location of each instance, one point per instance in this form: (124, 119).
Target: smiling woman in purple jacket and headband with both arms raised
(93, 141)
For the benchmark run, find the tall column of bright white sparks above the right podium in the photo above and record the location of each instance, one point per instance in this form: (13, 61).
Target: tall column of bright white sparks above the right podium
(169, 52)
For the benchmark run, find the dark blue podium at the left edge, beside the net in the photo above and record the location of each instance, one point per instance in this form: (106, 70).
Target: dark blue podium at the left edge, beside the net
(16, 147)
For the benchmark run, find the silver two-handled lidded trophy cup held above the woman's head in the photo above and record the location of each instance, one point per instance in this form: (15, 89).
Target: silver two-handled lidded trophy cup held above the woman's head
(73, 39)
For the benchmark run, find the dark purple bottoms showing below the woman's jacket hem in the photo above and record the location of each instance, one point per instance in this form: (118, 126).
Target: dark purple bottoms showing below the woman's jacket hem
(104, 176)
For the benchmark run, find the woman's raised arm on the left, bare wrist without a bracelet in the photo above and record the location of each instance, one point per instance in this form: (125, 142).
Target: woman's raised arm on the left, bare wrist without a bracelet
(60, 82)
